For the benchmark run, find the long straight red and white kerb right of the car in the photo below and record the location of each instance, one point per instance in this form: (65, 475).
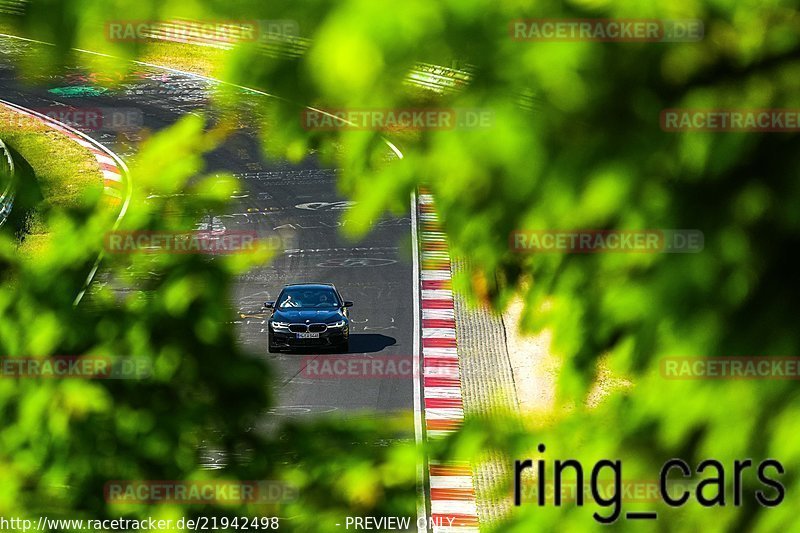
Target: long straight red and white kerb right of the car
(452, 491)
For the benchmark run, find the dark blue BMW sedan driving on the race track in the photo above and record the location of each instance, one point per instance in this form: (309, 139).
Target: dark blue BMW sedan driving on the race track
(309, 315)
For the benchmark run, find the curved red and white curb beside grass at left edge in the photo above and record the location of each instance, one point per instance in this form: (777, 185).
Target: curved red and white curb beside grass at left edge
(112, 169)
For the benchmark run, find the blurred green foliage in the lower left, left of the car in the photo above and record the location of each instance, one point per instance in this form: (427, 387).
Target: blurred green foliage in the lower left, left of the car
(63, 440)
